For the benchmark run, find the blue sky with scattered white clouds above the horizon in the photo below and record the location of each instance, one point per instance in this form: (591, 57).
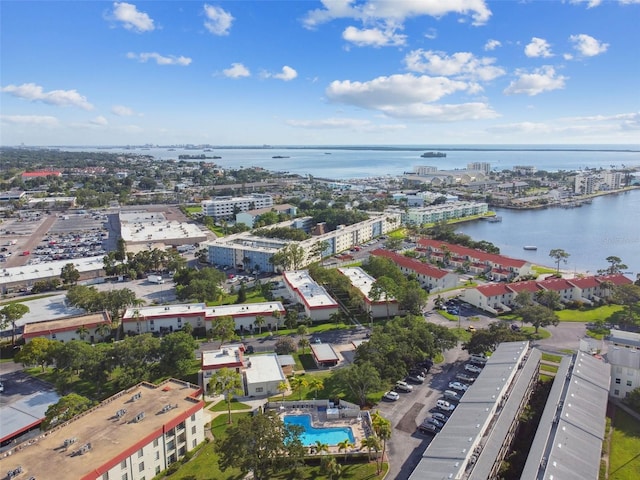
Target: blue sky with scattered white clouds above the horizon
(332, 72)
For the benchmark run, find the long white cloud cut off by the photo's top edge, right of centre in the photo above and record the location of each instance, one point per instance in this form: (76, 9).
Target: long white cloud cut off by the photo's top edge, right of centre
(371, 11)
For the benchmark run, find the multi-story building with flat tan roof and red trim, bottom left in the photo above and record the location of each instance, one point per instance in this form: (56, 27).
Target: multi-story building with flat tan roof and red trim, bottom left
(134, 435)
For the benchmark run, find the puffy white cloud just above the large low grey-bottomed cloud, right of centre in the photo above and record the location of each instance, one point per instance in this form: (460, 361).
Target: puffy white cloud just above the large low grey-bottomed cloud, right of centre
(463, 65)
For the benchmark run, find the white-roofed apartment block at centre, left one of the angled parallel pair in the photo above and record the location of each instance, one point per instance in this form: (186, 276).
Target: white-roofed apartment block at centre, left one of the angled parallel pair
(317, 303)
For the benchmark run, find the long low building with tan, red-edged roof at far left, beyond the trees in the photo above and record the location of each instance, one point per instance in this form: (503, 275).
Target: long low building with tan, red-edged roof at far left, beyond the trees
(77, 327)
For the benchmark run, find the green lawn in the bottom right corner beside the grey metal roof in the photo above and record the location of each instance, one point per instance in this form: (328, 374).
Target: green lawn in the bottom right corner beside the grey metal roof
(624, 460)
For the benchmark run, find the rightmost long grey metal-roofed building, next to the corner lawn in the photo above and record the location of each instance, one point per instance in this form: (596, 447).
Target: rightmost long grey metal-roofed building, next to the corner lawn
(571, 431)
